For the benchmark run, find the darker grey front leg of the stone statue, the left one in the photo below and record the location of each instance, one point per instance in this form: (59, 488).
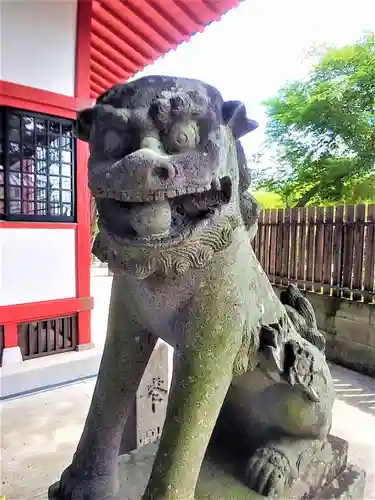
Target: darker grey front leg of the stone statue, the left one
(92, 474)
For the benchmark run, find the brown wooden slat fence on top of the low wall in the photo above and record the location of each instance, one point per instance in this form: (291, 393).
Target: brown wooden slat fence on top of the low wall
(328, 250)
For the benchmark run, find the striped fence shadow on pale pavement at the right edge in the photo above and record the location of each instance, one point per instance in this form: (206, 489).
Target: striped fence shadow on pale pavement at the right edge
(354, 389)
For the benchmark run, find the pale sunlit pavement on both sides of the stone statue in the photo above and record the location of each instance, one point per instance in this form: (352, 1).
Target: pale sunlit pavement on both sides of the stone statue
(39, 433)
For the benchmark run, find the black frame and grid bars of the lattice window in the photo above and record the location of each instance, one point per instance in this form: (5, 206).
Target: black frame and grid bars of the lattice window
(9, 217)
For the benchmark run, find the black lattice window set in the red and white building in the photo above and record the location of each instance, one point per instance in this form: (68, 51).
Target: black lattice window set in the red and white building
(39, 167)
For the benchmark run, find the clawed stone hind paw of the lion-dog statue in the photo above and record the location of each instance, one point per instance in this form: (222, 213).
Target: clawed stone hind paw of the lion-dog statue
(267, 472)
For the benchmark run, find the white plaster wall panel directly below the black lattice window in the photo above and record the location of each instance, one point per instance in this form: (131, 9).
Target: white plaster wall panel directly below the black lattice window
(36, 265)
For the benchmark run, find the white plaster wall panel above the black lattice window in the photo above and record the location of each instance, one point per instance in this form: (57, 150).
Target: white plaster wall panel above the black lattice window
(37, 43)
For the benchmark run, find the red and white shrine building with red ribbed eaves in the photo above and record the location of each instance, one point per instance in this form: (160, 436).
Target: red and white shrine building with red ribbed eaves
(56, 58)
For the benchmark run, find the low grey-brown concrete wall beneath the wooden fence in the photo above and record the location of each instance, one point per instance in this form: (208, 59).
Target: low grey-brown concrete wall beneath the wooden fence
(349, 328)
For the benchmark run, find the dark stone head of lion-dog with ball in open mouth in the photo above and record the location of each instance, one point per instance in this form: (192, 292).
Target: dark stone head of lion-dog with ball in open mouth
(163, 159)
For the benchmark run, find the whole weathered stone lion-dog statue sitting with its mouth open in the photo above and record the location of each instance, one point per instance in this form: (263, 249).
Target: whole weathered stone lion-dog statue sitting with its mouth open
(170, 180)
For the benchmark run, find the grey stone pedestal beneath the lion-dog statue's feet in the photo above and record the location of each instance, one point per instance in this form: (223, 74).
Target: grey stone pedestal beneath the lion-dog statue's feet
(328, 477)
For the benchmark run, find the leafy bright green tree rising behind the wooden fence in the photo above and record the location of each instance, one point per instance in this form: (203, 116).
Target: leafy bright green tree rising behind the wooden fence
(323, 129)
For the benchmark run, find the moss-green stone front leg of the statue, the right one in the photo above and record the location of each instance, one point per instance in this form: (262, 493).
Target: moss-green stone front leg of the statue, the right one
(203, 379)
